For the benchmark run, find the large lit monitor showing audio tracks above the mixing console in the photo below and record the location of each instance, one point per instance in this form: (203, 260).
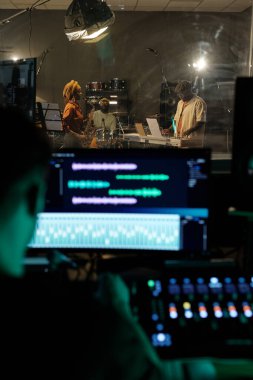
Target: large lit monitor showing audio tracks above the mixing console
(128, 200)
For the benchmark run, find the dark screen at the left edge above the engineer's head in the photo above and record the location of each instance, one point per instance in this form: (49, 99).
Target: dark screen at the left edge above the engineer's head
(18, 84)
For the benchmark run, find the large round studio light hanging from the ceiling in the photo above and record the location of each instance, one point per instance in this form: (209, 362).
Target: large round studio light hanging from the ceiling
(87, 19)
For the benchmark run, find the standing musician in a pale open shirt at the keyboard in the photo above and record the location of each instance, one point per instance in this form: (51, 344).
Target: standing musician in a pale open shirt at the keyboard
(190, 117)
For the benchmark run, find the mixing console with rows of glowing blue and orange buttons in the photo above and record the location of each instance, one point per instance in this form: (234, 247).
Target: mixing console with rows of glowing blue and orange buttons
(195, 315)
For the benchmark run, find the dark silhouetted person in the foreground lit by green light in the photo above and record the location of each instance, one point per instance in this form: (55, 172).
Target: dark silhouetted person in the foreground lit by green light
(80, 333)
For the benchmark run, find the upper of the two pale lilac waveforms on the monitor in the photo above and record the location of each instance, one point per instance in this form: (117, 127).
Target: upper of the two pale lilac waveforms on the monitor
(103, 166)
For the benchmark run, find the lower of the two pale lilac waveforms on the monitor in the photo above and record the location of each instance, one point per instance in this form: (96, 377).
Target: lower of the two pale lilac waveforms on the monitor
(103, 201)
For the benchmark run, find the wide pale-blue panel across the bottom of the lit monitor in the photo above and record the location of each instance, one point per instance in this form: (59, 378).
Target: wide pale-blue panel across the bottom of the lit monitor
(127, 231)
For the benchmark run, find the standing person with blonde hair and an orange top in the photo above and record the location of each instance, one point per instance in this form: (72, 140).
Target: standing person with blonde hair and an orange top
(73, 118)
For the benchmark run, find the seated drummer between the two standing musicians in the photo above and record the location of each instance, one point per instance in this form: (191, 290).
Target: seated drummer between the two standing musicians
(103, 119)
